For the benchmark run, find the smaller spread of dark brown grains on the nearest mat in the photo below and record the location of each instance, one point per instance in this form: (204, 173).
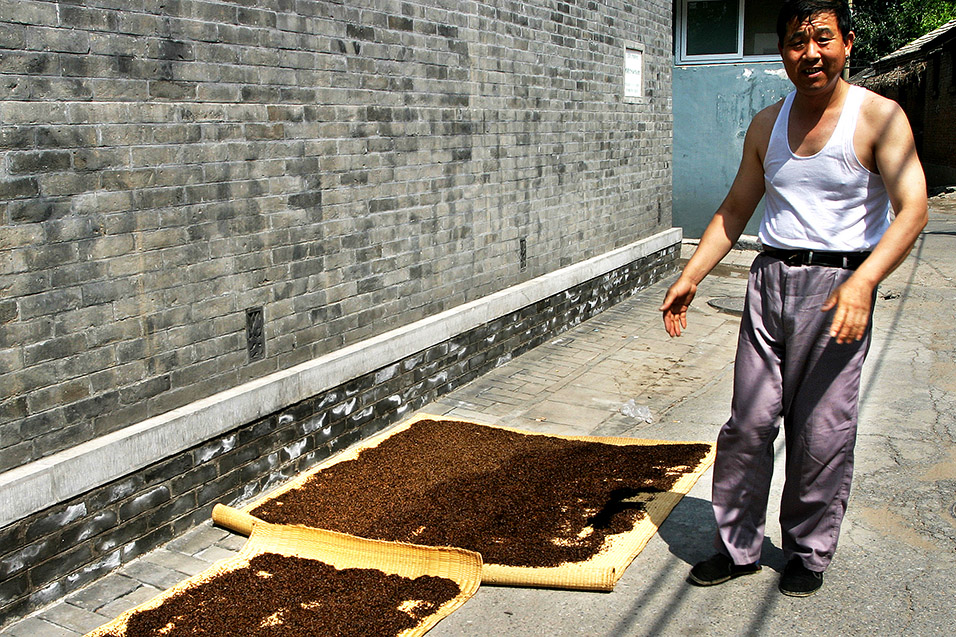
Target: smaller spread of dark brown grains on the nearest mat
(277, 595)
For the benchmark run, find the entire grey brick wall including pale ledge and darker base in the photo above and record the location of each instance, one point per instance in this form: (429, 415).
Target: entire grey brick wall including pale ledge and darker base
(237, 236)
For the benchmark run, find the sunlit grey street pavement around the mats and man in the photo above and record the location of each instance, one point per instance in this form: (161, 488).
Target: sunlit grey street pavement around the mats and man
(894, 571)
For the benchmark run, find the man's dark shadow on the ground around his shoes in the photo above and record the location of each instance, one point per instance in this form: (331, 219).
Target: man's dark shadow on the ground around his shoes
(689, 533)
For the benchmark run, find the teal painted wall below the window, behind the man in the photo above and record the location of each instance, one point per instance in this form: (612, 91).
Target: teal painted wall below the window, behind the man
(713, 105)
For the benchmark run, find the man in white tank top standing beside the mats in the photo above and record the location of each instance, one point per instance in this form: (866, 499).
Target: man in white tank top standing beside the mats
(835, 162)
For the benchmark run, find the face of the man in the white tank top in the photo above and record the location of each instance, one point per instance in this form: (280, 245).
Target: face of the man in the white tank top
(814, 53)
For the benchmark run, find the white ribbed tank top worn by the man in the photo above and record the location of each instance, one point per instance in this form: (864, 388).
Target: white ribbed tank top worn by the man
(827, 201)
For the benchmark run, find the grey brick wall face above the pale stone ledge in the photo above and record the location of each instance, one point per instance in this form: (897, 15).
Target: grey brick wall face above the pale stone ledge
(347, 167)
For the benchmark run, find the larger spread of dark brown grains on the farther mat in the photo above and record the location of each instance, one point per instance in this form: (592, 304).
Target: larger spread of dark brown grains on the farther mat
(518, 499)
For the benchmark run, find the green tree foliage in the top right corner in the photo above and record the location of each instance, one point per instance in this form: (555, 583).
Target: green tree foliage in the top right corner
(882, 26)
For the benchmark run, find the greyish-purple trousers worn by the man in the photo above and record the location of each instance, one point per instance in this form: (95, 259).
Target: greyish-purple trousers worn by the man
(788, 366)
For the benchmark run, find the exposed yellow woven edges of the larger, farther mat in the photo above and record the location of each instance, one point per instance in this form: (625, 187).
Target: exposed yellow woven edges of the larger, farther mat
(601, 572)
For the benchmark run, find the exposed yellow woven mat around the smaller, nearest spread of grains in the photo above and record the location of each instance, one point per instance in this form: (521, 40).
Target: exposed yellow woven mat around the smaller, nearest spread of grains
(338, 550)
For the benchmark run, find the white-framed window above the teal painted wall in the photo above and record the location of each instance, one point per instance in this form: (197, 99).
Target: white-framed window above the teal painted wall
(726, 30)
